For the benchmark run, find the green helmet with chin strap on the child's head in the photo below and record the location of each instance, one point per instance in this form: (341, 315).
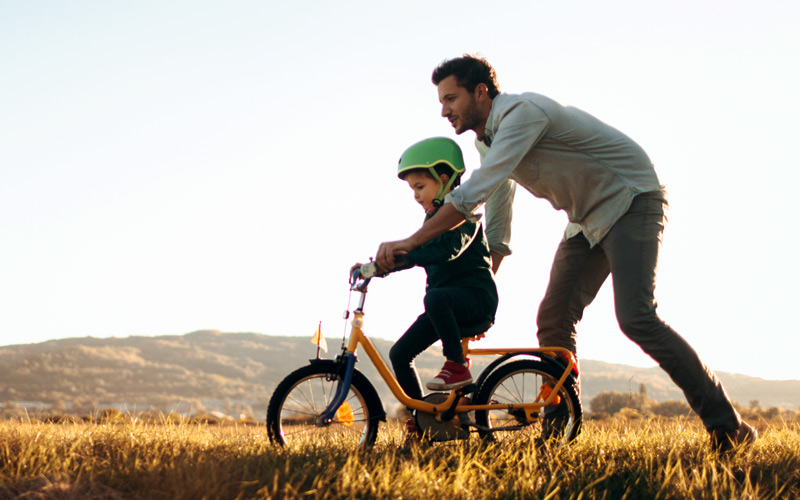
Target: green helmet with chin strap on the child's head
(427, 154)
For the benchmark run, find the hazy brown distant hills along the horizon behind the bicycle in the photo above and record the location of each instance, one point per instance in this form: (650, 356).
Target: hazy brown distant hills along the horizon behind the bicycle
(210, 369)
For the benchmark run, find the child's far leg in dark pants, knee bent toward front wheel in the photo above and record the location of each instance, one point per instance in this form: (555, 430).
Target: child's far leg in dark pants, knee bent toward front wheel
(419, 336)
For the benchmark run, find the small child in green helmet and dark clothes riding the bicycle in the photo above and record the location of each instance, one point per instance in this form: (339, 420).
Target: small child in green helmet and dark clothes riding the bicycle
(460, 285)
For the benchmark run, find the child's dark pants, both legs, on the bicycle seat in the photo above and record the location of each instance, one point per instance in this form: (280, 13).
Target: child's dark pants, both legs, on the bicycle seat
(445, 309)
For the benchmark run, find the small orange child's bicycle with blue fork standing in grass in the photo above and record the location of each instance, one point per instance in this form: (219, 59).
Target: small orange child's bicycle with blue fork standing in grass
(331, 401)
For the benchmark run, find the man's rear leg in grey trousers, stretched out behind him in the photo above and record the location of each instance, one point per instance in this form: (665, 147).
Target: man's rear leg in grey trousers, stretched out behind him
(632, 248)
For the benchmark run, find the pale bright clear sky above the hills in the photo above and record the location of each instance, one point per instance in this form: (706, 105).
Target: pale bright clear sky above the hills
(167, 167)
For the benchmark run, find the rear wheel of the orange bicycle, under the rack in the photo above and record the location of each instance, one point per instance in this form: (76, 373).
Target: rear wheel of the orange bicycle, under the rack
(521, 381)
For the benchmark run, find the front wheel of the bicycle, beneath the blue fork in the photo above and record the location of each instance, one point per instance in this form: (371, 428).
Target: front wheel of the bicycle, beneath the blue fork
(302, 397)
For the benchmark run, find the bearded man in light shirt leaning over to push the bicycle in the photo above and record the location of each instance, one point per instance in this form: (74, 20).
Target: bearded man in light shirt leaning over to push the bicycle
(608, 187)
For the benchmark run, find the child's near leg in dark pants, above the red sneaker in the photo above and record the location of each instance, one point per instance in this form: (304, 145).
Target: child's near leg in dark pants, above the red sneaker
(447, 307)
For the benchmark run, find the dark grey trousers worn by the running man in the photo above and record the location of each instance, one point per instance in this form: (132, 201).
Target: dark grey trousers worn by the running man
(629, 253)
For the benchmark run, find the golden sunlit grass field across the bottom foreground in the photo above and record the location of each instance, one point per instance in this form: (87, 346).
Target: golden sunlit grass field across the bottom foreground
(614, 459)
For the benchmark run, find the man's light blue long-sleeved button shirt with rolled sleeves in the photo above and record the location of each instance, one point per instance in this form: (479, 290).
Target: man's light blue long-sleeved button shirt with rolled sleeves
(579, 164)
